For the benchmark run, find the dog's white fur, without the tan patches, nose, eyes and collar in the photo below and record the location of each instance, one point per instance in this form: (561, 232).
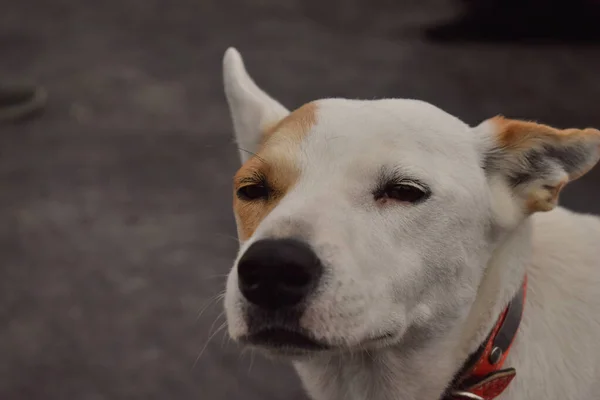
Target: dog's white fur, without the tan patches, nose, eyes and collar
(437, 274)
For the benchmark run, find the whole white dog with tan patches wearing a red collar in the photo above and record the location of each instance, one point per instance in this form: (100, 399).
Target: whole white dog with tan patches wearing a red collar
(391, 252)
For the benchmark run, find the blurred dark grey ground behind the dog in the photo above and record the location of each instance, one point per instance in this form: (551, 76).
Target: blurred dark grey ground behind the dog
(115, 221)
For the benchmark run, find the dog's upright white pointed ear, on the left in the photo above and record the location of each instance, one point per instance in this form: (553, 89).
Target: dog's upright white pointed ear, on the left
(252, 110)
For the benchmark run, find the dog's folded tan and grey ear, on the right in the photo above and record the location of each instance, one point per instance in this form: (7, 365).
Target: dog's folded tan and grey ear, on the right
(537, 160)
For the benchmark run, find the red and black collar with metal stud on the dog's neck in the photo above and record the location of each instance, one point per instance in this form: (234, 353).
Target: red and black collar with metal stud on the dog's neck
(482, 376)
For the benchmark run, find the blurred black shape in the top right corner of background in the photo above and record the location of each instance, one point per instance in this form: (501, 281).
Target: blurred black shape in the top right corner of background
(523, 20)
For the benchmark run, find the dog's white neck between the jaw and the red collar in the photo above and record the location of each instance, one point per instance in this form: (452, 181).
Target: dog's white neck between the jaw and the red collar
(423, 368)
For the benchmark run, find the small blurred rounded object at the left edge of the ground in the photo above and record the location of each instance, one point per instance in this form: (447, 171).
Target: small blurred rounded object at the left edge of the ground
(20, 102)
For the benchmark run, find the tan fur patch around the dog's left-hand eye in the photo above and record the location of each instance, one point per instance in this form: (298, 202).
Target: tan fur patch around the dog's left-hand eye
(277, 163)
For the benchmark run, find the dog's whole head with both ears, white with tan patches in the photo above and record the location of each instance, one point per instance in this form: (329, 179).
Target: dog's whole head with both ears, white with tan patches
(361, 219)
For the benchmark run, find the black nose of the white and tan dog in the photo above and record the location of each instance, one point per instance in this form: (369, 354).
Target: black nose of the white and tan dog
(278, 273)
